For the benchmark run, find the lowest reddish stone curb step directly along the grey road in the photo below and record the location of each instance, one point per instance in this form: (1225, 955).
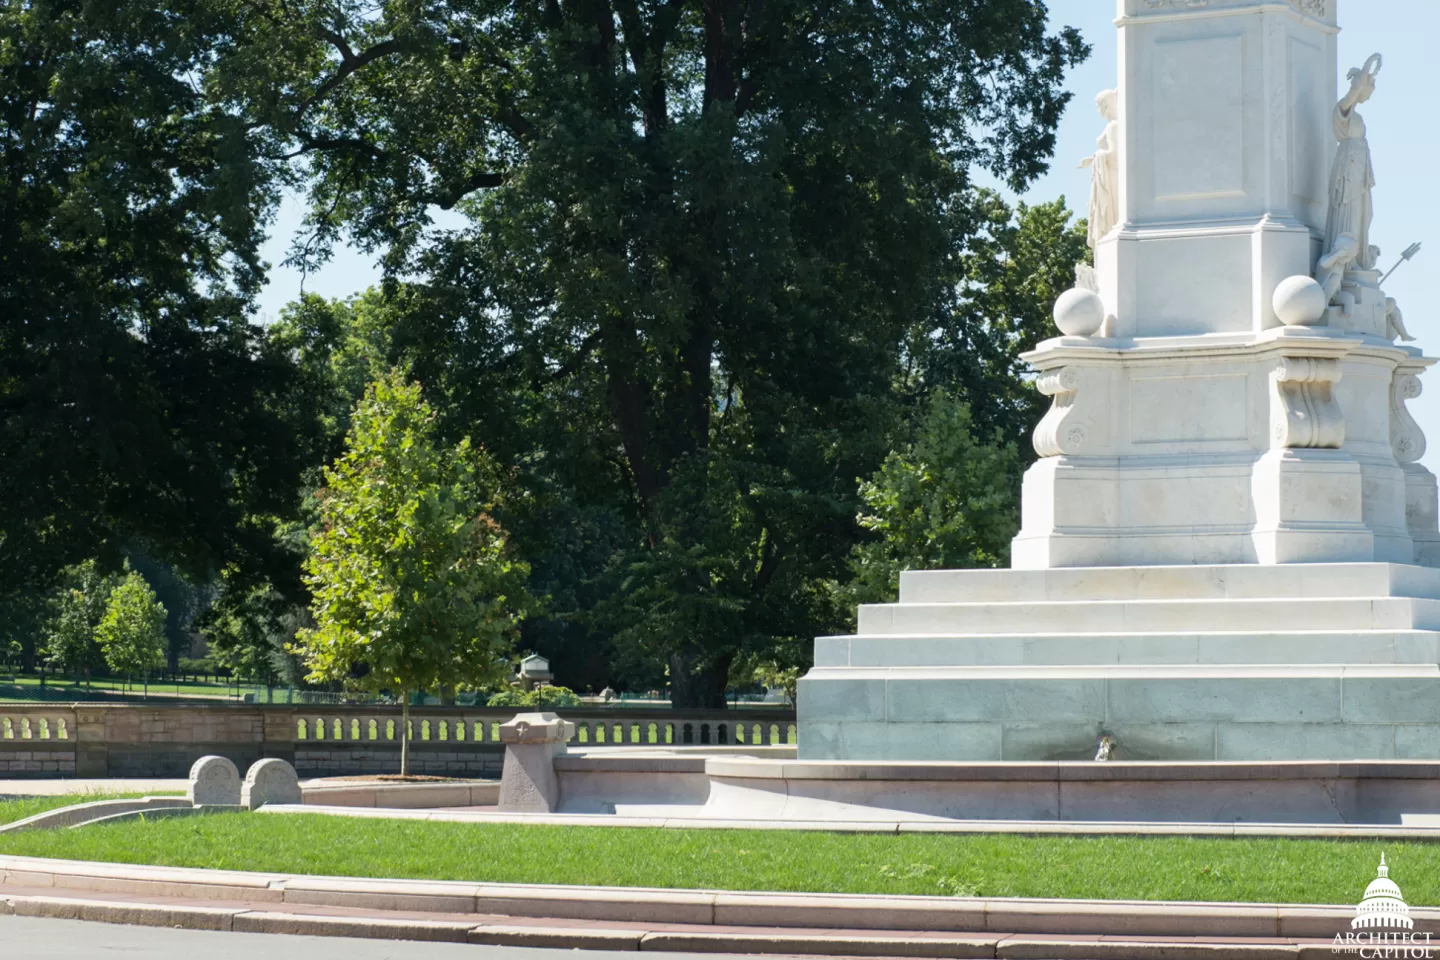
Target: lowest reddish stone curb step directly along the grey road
(840, 945)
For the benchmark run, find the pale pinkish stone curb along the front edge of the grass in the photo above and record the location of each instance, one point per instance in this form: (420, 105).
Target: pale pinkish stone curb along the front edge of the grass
(703, 909)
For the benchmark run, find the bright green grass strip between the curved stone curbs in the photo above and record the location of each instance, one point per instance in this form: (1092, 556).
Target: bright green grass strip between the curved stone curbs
(1254, 870)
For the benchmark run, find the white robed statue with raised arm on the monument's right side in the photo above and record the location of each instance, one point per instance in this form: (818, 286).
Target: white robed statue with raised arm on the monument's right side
(1353, 178)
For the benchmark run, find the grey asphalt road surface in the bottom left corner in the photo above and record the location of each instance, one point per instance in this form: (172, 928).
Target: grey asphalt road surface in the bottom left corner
(32, 939)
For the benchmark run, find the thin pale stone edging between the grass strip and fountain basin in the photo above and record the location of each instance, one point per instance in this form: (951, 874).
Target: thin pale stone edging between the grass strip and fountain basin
(1029, 828)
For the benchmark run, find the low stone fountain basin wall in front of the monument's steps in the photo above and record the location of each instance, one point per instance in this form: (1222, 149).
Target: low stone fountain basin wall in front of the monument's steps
(810, 791)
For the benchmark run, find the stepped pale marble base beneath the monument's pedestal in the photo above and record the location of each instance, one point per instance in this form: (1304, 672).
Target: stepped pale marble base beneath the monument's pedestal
(1174, 664)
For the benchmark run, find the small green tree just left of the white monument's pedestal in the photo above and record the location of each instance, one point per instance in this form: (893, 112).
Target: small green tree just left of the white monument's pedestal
(947, 500)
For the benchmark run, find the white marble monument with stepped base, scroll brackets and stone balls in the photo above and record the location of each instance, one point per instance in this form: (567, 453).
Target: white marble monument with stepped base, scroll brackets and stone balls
(1229, 545)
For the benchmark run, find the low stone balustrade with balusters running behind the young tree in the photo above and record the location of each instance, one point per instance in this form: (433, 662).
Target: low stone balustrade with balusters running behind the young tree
(162, 741)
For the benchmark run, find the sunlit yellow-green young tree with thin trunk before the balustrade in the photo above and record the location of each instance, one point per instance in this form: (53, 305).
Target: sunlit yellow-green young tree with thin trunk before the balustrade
(414, 587)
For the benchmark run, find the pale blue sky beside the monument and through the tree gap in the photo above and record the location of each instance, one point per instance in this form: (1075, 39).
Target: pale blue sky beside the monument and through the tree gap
(1403, 135)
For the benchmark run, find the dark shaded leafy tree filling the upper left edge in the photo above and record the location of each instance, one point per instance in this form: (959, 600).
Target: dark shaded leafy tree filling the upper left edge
(136, 399)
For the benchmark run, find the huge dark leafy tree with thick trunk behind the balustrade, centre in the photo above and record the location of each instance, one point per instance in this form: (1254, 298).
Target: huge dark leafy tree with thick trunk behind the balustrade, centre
(702, 237)
